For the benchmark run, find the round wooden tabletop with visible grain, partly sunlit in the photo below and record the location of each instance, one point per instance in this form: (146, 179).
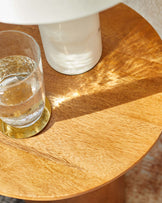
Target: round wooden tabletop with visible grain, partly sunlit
(103, 121)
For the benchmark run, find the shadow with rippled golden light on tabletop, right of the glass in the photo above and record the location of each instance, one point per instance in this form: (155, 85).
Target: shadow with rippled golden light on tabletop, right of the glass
(129, 69)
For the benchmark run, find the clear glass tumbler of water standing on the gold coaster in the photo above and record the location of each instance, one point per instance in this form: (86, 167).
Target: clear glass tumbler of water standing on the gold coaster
(22, 94)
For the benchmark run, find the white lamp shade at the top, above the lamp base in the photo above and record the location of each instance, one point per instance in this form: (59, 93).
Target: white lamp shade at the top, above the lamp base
(49, 11)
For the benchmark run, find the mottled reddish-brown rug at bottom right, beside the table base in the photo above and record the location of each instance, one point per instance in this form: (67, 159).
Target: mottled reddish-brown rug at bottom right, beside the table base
(144, 181)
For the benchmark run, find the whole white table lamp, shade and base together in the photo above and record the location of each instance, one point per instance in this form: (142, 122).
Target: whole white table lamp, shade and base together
(70, 29)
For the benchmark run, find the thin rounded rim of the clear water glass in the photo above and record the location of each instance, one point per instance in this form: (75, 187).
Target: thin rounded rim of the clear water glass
(37, 62)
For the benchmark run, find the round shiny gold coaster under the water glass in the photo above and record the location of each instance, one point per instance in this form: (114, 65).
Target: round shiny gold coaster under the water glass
(28, 131)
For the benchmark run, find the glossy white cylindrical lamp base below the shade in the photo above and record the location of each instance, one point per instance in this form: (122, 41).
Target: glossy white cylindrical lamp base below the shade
(72, 47)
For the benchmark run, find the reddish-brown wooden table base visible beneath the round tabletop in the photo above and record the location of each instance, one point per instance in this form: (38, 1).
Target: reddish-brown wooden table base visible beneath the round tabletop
(111, 193)
